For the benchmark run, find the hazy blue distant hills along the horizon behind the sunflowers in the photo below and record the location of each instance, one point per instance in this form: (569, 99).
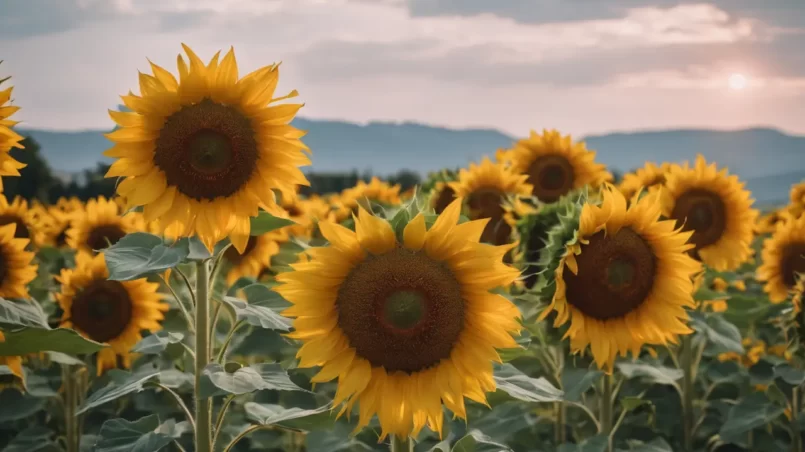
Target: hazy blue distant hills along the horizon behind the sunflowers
(768, 160)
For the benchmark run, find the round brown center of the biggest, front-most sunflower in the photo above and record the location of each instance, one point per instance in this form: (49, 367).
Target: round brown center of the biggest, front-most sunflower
(401, 310)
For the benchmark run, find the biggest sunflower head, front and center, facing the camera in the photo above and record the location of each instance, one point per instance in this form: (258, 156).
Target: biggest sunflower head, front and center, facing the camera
(403, 325)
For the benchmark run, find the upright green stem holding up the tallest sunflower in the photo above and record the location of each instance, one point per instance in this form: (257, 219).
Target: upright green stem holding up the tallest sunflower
(202, 358)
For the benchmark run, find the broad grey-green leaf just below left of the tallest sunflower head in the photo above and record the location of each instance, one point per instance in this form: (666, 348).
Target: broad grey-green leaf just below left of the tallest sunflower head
(139, 254)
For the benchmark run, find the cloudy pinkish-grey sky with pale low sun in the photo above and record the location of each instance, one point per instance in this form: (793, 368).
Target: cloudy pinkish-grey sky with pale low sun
(583, 66)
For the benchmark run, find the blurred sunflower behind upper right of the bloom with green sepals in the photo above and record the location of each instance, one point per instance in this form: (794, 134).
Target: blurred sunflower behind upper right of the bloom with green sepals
(716, 208)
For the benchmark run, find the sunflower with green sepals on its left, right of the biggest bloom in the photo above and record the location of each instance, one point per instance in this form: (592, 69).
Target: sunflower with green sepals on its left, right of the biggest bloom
(624, 280)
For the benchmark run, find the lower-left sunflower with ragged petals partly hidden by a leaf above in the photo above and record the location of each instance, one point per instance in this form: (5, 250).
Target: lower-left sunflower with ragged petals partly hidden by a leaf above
(113, 312)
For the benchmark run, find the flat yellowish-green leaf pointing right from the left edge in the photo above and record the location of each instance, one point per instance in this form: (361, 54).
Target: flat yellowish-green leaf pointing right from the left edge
(35, 340)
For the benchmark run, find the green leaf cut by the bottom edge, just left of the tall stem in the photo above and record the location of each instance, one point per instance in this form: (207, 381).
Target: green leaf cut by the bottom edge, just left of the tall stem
(142, 435)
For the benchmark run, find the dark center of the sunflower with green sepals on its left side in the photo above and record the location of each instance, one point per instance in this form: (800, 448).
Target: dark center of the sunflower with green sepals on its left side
(615, 275)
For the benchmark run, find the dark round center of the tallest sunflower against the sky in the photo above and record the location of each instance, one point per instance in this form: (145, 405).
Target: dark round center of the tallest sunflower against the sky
(207, 150)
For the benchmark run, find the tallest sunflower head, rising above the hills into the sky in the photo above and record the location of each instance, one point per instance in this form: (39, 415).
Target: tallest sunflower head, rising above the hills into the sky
(206, 151)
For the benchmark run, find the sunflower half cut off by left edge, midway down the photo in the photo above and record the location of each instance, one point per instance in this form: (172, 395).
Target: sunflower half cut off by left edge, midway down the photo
(16, 268)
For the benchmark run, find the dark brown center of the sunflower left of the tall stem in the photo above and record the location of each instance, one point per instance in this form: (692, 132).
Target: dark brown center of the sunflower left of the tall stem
(102, 310)
